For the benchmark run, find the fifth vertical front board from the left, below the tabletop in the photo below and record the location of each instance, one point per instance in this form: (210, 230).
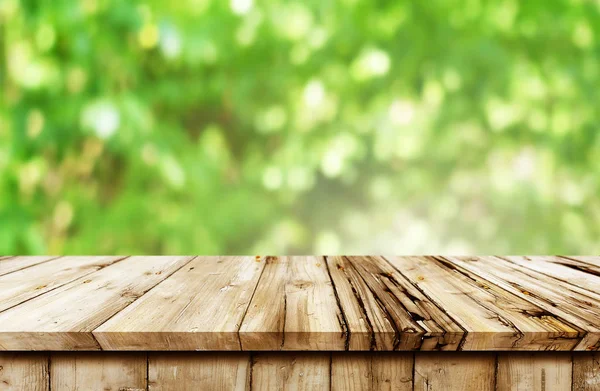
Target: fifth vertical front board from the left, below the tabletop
(370, 371)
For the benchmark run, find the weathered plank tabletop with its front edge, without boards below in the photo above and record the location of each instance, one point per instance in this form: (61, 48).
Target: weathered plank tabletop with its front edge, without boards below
(338, 303)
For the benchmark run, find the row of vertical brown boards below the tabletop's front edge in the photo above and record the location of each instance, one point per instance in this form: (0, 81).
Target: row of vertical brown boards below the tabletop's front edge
(337, 371)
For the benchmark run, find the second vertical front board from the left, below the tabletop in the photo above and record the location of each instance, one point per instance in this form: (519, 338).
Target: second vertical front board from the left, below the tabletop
(98, 371)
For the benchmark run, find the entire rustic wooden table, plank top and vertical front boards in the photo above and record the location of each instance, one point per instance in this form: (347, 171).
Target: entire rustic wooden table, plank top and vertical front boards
(304, 322)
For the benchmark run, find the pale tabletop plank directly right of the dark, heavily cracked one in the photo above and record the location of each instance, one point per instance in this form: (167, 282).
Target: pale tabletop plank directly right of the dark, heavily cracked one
(494, 318)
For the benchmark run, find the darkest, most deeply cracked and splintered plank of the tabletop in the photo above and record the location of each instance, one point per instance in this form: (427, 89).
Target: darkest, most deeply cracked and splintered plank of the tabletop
(418, 323)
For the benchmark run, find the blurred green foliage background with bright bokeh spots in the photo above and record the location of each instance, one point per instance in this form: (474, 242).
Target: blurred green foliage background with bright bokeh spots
(319, 126)
